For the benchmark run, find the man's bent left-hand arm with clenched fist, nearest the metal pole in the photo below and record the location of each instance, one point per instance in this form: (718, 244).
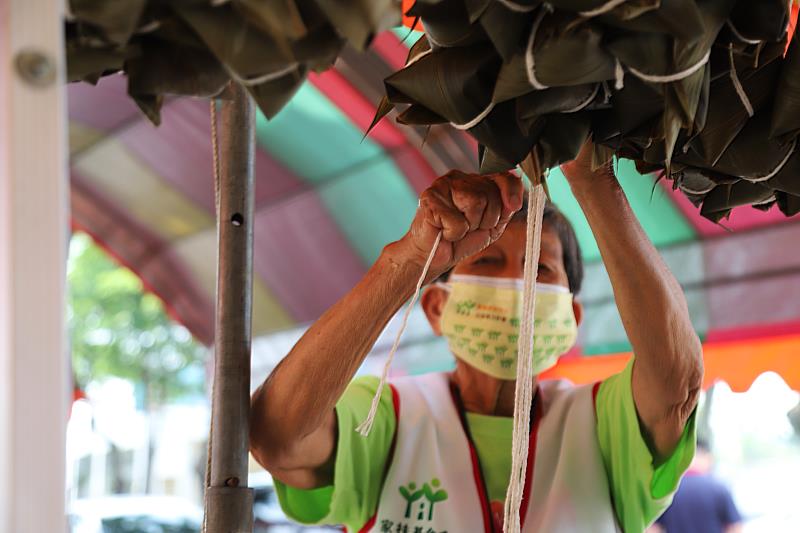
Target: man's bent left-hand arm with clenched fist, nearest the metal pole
(292, 421)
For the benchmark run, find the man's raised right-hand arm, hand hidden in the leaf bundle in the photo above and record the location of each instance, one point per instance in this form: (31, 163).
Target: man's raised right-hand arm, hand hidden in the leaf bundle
(668, 369)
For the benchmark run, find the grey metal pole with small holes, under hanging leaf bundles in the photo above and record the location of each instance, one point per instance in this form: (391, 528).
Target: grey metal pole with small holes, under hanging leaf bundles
(229, 503)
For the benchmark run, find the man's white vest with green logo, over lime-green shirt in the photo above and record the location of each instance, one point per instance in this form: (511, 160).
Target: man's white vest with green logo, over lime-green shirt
(433, 483)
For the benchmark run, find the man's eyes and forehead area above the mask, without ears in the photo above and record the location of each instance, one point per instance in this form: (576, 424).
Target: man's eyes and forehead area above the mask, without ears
(505, 258)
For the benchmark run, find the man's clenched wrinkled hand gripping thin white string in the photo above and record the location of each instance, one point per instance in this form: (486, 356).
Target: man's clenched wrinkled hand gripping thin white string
(472, 212)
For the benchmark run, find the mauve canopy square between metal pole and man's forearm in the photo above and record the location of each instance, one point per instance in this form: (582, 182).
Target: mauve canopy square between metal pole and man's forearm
(303, 256)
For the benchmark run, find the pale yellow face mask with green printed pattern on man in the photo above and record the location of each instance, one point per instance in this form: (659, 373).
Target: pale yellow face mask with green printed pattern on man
(481, 323)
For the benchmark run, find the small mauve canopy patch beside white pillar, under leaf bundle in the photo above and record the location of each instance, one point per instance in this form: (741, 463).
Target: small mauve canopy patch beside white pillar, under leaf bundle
(105, 106)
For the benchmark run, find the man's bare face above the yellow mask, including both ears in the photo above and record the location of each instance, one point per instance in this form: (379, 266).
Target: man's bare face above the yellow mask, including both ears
(505, 258)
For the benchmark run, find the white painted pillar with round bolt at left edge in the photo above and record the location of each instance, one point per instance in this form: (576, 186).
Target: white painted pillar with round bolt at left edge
(33, 240)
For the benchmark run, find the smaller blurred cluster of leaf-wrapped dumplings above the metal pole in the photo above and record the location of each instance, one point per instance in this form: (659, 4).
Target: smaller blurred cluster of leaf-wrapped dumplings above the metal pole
(194, 47)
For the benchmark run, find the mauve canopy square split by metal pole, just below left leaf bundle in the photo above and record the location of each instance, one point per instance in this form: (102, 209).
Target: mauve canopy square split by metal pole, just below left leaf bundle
(180, 152)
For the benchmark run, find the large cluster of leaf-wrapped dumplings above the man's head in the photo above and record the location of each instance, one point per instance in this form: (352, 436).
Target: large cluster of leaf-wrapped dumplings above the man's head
(708, 90)
